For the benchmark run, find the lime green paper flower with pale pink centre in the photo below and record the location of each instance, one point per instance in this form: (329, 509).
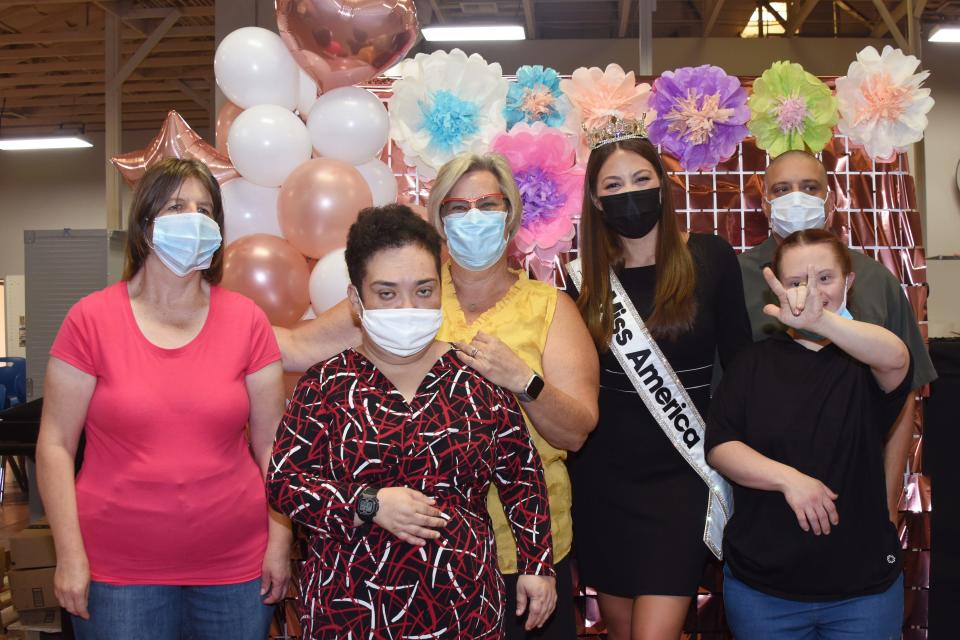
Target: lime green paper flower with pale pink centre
(791, 109)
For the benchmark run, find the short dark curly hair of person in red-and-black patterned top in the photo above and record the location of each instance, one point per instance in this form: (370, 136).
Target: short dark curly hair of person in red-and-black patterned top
(388, 227)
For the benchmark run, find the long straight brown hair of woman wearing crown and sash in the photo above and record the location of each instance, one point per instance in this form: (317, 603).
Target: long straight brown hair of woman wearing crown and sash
(674, 305)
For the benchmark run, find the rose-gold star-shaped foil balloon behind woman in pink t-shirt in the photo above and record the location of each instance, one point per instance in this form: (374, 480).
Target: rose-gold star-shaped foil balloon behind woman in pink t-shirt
(175, 140)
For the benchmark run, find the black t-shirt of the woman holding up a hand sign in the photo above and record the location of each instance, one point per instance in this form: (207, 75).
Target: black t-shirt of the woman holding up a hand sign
(822, 413)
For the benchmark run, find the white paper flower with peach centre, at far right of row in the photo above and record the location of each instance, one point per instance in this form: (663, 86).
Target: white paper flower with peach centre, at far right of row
(882, 105)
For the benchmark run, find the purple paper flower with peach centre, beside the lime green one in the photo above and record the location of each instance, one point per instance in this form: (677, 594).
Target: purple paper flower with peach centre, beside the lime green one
(701, 115)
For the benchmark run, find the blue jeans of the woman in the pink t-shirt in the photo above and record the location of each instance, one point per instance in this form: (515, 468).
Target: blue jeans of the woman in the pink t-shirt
(148, 612)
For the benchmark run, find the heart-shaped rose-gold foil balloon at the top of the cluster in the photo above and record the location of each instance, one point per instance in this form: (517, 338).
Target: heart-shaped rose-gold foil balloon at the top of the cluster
(345, 42)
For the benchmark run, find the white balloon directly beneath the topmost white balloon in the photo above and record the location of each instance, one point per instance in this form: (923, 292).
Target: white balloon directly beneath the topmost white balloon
(266, 143)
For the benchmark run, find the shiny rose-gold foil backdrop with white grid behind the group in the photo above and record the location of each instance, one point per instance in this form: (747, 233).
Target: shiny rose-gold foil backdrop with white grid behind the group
(878, 215)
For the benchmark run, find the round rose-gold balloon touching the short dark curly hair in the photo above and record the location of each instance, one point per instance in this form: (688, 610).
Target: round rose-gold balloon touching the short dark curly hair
(317, 204)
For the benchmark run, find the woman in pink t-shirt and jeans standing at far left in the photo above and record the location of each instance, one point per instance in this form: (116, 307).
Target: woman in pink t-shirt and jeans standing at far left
(165, 532)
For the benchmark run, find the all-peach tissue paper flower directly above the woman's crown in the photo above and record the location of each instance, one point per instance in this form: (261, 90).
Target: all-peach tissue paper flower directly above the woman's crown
(596, 95)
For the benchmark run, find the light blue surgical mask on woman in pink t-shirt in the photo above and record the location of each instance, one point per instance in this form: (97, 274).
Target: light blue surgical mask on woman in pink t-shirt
(186, 242)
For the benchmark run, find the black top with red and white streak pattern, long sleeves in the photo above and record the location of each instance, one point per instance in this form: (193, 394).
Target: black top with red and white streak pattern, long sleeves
(346, 428)
